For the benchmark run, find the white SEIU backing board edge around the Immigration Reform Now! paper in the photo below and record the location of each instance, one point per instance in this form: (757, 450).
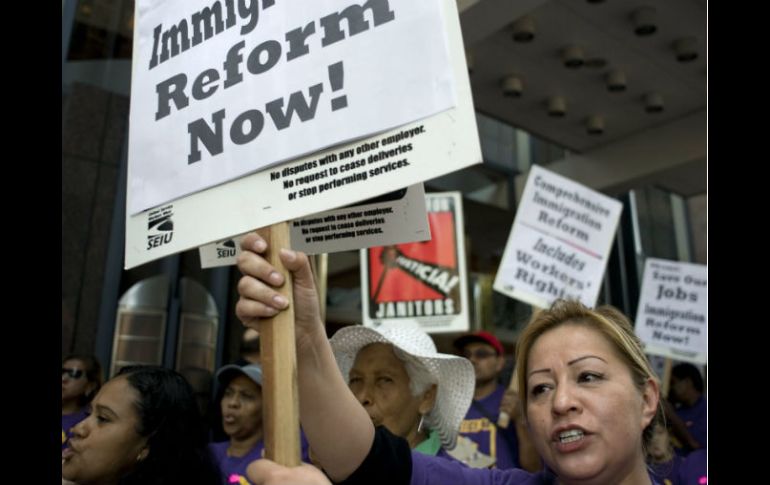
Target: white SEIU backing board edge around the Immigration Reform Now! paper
(332, 178)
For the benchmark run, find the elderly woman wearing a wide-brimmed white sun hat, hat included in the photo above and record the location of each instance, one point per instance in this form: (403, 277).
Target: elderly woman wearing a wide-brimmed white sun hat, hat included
(404, 384)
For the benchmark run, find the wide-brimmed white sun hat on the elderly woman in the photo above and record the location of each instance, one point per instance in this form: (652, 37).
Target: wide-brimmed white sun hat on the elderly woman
(454, 374)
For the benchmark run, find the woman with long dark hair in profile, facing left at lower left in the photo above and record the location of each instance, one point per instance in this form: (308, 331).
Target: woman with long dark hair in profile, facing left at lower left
(143, 428)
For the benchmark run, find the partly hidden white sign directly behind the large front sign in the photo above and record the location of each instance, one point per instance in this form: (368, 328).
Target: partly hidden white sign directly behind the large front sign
(393, 218)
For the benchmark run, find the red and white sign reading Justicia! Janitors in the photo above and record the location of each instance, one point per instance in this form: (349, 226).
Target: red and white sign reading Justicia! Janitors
(425, 282)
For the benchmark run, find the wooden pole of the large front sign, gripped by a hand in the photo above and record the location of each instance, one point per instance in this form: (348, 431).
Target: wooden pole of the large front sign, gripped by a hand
(280, 396)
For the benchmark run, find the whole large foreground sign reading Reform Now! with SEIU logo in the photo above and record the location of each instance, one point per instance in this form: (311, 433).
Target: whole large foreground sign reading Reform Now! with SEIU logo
(328, 178)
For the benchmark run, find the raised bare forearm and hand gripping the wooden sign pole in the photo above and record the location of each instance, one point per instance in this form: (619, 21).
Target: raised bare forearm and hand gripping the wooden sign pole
(336, 425)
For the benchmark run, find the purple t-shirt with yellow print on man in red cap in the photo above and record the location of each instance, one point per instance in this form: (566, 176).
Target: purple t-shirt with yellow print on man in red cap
(492, 440)
